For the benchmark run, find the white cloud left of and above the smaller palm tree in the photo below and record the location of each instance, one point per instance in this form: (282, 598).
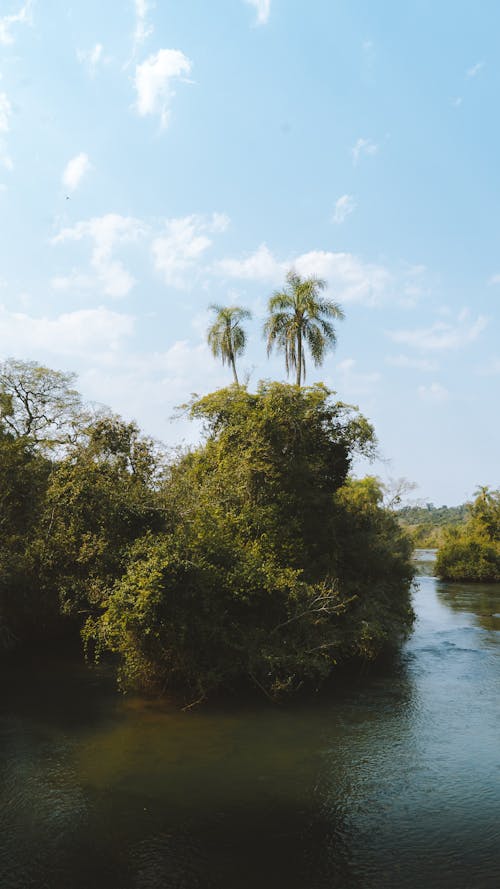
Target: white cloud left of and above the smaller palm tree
(178, 249)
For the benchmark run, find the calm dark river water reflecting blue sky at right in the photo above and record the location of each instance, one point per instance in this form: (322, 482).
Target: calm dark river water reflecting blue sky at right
(391, 780)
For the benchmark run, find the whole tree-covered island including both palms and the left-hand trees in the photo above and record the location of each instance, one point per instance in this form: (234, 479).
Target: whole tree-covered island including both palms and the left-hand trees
(252, 558)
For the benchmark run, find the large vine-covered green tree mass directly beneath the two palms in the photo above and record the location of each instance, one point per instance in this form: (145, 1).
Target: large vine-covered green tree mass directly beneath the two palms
(274, 567)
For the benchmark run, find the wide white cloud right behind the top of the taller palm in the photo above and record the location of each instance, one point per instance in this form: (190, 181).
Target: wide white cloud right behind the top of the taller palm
(349, 278)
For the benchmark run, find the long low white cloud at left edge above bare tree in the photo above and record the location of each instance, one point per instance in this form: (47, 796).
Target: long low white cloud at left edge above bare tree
(80, 333)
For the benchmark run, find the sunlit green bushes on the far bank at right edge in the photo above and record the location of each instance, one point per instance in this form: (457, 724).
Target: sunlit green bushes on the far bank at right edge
(472, 552)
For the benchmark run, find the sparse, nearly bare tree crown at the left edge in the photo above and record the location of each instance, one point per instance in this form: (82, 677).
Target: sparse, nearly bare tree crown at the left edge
(39, 404)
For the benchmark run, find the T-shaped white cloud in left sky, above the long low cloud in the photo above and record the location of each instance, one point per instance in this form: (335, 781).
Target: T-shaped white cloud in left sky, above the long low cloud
(107, 232)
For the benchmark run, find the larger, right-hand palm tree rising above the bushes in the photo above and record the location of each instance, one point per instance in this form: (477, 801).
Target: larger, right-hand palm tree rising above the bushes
(298, 315)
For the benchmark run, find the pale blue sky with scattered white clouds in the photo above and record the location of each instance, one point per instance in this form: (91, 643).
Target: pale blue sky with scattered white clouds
(157, 157)
